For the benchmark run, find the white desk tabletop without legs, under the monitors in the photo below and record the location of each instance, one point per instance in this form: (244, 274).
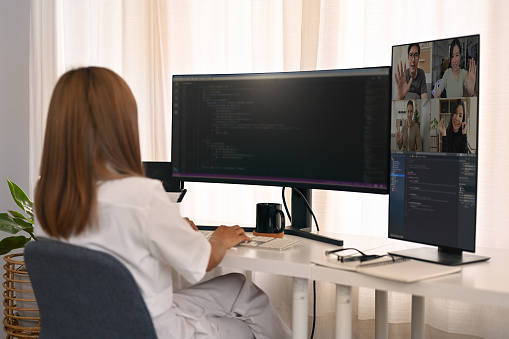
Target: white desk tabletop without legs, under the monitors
(483, 283)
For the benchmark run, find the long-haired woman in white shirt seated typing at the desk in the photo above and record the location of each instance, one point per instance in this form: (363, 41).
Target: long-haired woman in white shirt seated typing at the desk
(92, 192)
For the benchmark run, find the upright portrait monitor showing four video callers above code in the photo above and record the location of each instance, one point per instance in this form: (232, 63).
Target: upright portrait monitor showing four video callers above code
(434, 145)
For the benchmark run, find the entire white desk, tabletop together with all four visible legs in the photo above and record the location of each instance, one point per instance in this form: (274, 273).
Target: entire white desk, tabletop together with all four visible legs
(483, 283)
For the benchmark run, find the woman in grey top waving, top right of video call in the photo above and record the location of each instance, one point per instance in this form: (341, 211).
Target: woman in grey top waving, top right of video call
(455, 78)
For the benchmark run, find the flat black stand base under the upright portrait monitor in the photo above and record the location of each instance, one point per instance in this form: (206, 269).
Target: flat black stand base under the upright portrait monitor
(442, 256)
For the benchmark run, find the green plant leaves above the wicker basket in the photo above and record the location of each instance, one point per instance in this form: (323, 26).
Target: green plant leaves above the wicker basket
(14, 221)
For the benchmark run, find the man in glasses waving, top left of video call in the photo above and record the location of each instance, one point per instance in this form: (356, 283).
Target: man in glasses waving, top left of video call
(413, 80)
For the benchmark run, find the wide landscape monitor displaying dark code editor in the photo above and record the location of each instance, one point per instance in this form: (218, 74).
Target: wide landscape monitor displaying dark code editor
(313, 129)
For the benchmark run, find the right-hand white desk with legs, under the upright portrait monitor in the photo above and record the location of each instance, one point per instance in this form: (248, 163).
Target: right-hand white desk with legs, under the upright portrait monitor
(482, 283)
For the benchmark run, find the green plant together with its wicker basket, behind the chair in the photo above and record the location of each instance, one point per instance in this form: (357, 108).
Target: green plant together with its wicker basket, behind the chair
(21, 313)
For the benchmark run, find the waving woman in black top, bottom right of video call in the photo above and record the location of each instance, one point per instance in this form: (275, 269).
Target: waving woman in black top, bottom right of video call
(454, 138)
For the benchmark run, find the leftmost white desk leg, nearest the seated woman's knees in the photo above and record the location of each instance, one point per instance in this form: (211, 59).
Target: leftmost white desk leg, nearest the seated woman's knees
(300, 308)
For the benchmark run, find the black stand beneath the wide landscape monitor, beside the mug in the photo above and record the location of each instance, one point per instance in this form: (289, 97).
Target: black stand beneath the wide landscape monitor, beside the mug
(302, 221)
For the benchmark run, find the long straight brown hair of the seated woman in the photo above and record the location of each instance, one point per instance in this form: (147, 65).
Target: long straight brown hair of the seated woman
(91, 135)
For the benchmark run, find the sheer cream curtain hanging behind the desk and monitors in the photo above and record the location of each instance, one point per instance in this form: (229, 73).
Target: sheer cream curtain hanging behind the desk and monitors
(148, 41)
